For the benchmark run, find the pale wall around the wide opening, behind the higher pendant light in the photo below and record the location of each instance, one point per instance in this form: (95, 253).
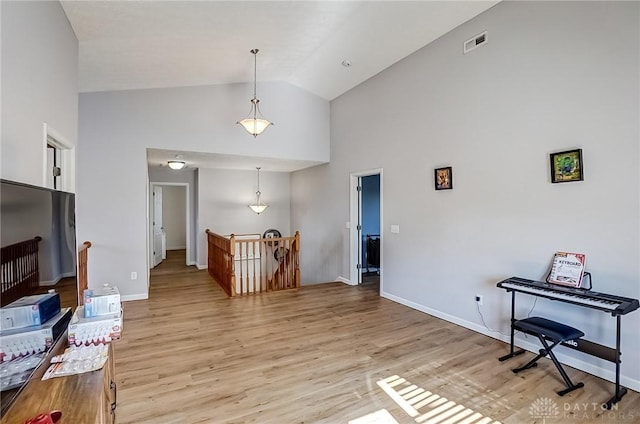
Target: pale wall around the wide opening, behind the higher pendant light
(116, 128)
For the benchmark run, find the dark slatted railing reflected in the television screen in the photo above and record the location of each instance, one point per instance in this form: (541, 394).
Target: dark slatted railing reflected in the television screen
(19, 270)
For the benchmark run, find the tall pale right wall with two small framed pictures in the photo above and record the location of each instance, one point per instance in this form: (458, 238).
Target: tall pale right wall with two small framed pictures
(543, 83)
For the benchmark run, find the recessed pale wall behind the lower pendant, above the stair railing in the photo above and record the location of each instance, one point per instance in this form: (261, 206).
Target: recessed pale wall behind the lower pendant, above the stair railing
(223, 204)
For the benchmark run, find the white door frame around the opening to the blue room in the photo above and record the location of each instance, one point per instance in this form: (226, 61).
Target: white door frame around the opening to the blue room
(354, 218)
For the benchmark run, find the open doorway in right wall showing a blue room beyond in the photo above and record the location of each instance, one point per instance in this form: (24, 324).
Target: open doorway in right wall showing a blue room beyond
(366, 228)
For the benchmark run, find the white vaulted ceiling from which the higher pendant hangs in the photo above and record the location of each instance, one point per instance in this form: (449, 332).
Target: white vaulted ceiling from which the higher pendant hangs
(150, 44)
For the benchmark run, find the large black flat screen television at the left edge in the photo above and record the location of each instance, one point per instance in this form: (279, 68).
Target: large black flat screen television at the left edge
(27, 213)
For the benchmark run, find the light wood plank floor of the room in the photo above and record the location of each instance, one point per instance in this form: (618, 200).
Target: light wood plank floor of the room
(191, 355)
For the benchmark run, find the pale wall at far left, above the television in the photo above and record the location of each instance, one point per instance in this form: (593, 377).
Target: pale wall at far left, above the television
(39, 84)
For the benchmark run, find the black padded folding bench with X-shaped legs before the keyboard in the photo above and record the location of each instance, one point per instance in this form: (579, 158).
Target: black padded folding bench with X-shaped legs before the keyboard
(545, 330)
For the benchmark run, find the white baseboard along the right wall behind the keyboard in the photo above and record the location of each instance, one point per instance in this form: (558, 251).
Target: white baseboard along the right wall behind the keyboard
(605, 373)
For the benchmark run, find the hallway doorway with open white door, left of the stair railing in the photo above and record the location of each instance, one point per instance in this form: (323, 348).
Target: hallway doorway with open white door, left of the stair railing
(168, 221)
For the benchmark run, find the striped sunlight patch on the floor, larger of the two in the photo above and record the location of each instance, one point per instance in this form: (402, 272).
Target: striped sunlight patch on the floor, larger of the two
(426, 407)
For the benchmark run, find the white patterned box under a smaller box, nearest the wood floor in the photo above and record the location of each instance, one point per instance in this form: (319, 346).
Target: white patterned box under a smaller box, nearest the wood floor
(94, 330)
